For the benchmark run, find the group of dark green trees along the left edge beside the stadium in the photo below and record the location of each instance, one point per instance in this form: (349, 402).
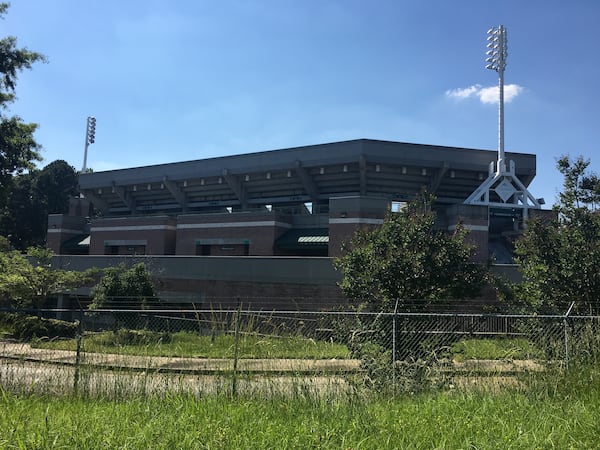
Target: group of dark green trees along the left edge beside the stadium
(27, 194)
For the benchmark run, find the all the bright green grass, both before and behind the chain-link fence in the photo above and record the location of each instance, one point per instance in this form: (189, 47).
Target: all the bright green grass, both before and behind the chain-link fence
(550, 409)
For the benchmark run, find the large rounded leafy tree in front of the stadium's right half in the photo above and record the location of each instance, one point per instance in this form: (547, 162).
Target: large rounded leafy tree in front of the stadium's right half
(408, 258)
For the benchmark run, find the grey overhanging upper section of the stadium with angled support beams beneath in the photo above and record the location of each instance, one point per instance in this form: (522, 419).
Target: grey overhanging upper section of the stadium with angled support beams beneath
(314, 173)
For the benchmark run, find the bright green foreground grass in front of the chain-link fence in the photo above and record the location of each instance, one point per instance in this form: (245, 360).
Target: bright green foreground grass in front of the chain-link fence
(561, 413)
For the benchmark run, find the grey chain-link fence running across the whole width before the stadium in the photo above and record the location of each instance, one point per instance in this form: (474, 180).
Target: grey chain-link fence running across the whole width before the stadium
(120, 351)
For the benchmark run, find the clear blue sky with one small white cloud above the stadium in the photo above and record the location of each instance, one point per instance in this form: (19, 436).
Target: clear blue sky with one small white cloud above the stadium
(180, 80)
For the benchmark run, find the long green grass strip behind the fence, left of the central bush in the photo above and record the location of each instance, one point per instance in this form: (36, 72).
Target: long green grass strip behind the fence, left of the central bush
(186, 344)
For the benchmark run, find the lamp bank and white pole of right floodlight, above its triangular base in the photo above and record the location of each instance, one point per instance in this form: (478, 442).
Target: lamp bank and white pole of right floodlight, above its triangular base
(496, 60)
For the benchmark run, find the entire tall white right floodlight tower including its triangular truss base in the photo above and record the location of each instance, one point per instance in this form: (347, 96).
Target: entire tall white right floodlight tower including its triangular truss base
(502, 188)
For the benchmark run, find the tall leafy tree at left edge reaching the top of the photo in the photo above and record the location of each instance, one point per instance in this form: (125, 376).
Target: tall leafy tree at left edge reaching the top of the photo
(18, 148)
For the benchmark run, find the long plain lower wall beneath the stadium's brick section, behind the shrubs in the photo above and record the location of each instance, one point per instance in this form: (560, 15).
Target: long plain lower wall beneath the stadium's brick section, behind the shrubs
(257, 282)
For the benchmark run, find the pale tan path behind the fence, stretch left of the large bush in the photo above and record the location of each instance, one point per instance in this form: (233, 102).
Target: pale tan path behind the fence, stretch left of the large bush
(54, 371)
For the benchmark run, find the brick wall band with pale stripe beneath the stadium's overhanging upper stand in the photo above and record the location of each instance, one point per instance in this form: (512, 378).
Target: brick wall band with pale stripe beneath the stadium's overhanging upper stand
(248, 233)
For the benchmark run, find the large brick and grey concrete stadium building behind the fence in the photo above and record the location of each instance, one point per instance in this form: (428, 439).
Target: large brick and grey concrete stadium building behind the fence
(297, 204)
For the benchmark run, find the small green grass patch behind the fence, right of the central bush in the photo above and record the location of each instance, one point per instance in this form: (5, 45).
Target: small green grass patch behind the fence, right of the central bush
(499, 348)
